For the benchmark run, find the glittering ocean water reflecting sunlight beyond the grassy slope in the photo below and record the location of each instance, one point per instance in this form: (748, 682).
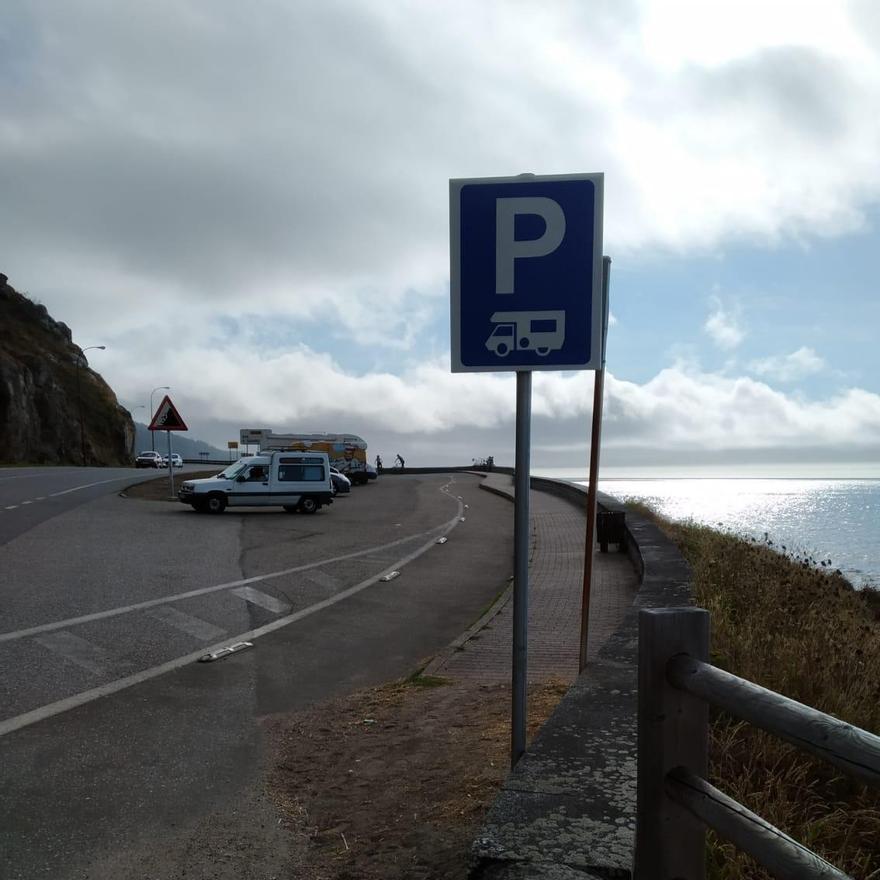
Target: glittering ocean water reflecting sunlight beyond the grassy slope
(827, 519)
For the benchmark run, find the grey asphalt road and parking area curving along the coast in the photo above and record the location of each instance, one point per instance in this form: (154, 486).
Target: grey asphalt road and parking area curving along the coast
(118, 750)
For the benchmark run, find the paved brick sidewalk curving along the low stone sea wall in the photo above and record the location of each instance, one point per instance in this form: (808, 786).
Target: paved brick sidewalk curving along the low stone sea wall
(555, 586)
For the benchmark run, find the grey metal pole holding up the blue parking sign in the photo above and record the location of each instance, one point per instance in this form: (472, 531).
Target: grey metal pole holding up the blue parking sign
(521, 565)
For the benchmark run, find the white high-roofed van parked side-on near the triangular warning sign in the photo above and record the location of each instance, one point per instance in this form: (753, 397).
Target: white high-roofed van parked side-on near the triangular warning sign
(295, 481)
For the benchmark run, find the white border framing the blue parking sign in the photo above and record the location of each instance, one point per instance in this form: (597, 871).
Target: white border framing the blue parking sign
(597, 317)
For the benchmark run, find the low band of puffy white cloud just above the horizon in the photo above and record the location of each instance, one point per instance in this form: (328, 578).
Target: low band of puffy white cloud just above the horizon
(680, 408)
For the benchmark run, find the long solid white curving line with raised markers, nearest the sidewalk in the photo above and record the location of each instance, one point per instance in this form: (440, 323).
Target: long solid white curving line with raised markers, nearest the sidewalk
(35, 715)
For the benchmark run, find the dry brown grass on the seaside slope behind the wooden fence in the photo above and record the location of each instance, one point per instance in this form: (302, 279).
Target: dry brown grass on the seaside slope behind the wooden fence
(793, 625)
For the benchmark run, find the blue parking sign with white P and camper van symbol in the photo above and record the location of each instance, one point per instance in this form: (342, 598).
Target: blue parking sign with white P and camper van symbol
(526, 272)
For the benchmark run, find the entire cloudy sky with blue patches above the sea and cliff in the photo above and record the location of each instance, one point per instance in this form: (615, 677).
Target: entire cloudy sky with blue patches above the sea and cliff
(249, 203)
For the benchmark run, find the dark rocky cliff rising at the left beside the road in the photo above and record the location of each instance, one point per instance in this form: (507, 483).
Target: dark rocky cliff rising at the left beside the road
(54, 409)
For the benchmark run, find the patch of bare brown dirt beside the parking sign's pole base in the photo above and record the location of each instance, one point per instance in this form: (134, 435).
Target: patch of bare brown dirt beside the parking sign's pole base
(393, 782)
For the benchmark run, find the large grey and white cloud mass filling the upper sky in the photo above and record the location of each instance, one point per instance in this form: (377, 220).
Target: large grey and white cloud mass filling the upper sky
(300, 155)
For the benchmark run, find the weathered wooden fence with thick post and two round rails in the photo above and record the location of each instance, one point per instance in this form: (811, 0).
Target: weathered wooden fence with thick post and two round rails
(674, 802)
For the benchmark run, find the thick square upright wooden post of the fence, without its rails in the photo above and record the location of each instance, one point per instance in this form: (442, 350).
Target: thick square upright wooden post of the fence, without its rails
(672, 732)
